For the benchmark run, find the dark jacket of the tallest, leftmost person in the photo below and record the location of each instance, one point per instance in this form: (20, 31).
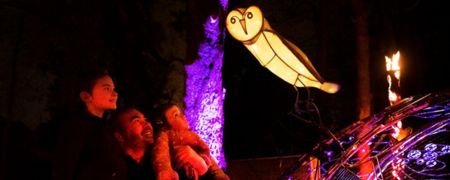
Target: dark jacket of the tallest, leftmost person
(86, 149)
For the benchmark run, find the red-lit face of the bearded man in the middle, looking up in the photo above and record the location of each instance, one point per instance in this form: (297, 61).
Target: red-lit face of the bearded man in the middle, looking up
(138, 131)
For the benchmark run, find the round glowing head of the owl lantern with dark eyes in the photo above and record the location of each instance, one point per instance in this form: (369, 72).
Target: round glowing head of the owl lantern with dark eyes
(245, 24)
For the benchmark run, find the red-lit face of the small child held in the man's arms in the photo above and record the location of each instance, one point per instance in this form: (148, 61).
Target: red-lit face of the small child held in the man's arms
(176, 119)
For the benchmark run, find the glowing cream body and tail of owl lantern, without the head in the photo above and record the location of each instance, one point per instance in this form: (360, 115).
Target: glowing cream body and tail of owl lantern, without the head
(287, 61)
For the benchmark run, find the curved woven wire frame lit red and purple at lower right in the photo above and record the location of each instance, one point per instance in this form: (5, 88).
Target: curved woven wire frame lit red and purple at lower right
(424, 152)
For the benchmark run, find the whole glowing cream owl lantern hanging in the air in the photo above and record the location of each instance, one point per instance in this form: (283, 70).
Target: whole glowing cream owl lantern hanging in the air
(280, 56)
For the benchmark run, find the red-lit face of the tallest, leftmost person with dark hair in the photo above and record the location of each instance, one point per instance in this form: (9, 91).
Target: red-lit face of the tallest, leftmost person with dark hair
(103, 96)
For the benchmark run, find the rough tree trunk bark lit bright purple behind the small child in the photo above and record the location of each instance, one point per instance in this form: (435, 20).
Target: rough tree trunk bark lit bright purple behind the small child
(205, 93)
